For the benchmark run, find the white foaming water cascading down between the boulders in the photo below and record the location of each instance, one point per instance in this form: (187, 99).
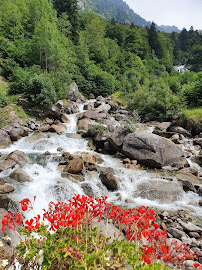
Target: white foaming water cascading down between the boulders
(48, 184)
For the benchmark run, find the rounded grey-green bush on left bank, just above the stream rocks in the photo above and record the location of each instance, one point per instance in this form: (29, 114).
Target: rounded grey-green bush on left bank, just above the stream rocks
(40, 90)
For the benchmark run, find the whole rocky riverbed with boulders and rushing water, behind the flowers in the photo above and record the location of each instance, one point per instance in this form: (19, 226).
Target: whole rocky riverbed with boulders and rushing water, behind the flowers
(97, 148)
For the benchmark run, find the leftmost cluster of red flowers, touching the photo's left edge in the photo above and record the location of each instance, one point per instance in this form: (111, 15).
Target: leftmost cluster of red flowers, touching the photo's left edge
(12, 220)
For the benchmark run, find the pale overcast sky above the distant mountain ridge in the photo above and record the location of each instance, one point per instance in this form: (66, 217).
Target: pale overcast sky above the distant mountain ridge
(181, 13)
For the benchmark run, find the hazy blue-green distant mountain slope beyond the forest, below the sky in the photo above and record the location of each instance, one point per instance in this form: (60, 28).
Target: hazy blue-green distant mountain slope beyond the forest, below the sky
(121, 12)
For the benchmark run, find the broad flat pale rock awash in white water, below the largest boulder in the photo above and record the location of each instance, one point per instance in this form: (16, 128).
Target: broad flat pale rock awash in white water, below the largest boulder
(161, 191)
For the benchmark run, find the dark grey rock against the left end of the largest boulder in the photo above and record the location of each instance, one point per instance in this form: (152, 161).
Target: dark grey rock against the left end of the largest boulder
(116, 139)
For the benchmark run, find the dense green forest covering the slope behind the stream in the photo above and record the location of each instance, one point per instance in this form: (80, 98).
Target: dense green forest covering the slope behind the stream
(45, 45)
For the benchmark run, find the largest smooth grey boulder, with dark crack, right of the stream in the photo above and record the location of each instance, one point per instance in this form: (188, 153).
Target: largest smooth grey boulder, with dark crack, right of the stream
(151, 150)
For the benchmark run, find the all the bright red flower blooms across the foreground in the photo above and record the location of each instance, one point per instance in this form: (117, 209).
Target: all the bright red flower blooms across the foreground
(140, 223)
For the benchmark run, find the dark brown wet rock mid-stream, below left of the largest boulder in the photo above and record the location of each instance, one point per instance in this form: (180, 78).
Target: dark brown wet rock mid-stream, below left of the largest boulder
(107, 178)
